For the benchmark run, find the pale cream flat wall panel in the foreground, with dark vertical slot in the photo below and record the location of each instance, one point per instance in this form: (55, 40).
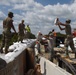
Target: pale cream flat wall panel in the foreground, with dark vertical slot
(49, 68)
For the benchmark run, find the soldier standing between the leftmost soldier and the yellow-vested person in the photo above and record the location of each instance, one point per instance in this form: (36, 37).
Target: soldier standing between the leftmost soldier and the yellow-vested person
(21, 29)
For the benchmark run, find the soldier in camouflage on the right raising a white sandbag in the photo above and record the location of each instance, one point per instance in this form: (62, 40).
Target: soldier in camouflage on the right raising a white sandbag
(69, 39)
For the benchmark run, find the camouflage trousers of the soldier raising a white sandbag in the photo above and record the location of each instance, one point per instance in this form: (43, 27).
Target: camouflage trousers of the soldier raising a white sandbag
(69, 42)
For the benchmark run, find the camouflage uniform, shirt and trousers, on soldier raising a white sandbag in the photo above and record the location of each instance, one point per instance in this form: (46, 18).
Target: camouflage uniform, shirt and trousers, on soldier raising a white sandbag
(69, 39)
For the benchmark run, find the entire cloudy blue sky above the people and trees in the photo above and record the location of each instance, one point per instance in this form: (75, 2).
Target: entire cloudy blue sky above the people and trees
(39, 14)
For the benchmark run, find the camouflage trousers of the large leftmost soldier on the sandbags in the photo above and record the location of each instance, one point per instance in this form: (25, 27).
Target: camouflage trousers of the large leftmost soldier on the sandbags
(6, 41)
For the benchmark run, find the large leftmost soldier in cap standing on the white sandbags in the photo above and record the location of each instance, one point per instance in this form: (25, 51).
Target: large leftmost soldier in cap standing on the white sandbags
(7, 25)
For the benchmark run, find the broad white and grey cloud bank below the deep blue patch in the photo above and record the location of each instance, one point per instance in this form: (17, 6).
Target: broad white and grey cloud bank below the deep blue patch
(38, 16)
